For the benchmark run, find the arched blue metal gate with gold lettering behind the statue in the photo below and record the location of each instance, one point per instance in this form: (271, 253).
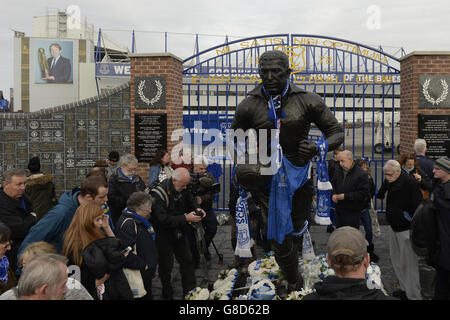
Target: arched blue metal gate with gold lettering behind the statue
(360, 84)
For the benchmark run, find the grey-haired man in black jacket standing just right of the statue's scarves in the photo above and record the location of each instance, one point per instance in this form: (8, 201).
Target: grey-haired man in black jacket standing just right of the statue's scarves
(351, 190)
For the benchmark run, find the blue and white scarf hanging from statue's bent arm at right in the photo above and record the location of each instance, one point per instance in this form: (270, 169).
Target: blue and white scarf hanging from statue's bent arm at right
(324, 187)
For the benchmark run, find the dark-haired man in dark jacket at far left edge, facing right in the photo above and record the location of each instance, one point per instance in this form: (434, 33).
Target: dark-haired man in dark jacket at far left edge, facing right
(16, 210)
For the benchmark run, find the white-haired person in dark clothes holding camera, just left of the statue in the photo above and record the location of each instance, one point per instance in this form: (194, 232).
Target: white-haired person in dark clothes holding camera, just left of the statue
(205, 188)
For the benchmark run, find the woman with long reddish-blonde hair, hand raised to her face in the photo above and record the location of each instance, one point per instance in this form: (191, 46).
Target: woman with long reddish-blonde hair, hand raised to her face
(90, 244)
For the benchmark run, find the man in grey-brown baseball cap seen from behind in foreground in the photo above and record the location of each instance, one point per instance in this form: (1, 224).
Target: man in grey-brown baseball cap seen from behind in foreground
(347, 255)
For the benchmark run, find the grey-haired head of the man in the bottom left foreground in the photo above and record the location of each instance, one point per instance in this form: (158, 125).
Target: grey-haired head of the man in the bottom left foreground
(43, 278)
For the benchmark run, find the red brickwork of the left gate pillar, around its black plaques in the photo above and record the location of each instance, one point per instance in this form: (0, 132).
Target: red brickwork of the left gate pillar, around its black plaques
(170, 68)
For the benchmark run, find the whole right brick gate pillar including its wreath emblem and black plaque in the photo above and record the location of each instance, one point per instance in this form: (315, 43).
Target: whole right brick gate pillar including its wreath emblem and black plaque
(425, 101)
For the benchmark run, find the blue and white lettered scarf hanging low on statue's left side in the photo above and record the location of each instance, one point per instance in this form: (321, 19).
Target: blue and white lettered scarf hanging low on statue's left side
(243, 229)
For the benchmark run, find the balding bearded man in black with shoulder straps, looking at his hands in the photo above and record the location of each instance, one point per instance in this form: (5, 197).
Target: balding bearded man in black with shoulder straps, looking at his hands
(173, 208)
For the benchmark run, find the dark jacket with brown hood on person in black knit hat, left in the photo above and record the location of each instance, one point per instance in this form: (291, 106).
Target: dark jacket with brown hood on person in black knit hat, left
(41, 190)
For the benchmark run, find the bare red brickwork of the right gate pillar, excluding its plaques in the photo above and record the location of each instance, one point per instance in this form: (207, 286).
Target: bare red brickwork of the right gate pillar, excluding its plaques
(412, 66)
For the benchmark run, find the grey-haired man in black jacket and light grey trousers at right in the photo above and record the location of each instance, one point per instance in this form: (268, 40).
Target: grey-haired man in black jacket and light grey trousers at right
(403, 197)
